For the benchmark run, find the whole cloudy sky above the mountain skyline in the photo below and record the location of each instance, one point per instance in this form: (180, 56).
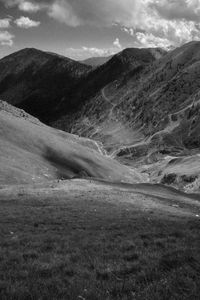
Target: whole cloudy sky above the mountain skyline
(80, 29)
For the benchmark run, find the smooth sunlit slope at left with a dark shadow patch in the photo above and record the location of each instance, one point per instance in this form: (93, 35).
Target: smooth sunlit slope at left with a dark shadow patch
(33, 152)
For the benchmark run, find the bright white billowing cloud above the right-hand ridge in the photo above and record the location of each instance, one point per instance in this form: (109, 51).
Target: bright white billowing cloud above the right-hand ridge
(156, 29)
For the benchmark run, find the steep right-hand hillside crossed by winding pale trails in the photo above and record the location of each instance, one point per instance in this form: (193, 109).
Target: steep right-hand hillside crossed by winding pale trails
(151, 100)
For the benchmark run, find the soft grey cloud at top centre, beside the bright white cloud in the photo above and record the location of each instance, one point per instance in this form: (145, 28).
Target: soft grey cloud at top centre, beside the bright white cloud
(94, 12)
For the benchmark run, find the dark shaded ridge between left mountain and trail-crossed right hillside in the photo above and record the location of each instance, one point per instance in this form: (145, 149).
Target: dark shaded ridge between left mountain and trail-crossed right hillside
(129, 60)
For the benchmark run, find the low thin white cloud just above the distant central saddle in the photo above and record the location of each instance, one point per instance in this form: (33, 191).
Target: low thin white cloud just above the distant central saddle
(87, 52)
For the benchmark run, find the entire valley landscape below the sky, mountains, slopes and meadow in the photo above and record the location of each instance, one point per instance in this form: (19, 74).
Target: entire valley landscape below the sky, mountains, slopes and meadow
(100, 175)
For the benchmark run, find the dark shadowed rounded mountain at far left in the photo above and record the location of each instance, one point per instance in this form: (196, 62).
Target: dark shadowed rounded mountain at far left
(38, 81)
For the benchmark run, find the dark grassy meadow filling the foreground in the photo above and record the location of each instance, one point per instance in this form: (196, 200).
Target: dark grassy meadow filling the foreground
(73, 249)
